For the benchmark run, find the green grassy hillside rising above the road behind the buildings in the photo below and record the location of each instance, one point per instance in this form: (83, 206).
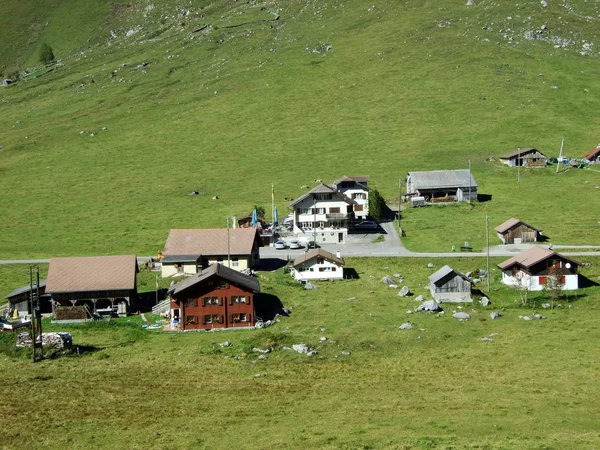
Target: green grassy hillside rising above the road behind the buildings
(327, 89)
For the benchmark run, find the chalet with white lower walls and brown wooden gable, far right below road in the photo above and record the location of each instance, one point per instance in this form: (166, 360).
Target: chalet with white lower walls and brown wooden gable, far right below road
(531, 269)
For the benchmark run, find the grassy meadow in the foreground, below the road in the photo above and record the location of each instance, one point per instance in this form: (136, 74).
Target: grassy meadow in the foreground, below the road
(436, 386)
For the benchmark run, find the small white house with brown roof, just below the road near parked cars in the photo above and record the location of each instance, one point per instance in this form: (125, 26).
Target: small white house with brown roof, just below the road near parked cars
(318, 264)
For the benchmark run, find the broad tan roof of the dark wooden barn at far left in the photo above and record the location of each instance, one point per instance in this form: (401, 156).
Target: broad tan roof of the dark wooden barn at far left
(93, 273)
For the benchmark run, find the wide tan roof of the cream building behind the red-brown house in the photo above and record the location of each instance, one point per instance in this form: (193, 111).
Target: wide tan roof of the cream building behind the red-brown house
(211, 241)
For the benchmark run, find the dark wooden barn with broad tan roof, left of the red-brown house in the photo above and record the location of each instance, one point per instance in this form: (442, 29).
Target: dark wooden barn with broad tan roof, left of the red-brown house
(102, 283)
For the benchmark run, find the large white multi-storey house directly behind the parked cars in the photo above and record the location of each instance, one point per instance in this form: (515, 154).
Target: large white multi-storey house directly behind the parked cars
(322, 214)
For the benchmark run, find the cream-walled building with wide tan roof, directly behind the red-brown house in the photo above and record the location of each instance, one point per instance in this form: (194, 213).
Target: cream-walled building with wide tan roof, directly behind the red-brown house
(188, 251)
